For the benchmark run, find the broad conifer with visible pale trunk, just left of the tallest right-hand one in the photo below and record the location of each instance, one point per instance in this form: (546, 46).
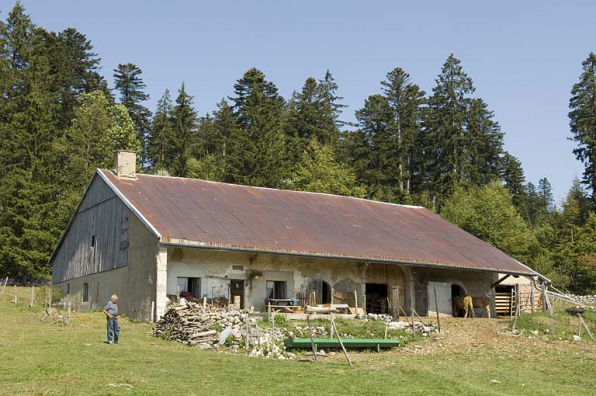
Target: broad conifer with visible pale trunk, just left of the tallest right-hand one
(384, 151)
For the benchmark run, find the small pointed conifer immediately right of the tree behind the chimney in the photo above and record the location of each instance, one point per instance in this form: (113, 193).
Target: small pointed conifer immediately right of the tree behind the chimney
(161, 140)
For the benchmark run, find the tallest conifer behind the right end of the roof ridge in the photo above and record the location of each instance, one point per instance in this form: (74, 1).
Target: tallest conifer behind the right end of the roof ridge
(462, 139)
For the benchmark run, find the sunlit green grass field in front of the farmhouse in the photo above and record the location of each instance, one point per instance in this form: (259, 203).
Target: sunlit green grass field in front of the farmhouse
(41, 359)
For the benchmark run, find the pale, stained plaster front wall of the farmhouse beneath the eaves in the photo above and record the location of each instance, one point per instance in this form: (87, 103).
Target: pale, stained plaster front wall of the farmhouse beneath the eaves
(216, 268)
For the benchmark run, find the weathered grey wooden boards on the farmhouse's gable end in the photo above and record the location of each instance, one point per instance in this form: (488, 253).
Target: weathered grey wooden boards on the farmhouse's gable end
(97, 240)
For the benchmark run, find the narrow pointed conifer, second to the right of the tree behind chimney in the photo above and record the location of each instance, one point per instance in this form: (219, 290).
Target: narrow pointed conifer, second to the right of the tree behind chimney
(184, 119)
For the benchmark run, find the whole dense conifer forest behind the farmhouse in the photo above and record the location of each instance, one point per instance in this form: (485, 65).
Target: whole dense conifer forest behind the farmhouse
(442, 149)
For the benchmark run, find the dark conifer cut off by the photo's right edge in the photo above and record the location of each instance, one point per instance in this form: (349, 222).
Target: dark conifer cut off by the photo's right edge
(583, 121)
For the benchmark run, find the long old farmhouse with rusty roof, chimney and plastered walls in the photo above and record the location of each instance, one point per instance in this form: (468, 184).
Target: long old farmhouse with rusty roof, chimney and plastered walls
(149, 238)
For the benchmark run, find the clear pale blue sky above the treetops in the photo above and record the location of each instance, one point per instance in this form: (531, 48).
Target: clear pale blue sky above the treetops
(523, 56)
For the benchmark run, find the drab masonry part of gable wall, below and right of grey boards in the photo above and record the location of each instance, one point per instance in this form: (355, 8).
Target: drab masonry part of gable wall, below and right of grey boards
(135, 283)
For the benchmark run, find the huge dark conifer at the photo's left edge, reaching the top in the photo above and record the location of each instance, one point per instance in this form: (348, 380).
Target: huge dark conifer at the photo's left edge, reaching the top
(30, 208)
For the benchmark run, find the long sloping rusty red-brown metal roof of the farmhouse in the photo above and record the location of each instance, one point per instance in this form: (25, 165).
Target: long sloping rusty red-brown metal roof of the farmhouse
(220, 215)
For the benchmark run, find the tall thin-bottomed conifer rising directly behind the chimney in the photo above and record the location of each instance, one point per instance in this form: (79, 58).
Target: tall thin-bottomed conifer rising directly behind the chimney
(128, 81)
